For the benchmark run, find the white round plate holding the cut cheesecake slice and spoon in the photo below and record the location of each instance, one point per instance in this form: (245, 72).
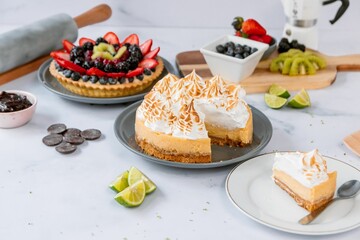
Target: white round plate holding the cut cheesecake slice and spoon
(251, 189)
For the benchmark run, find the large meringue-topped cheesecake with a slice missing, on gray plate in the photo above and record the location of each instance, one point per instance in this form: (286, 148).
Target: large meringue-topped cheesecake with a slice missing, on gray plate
(180, 118)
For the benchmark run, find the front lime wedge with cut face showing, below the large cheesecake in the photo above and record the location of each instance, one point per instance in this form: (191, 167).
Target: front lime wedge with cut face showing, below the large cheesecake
(133, 195)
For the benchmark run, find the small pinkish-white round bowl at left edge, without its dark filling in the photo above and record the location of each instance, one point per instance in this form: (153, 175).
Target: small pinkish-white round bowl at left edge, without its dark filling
(18, 118)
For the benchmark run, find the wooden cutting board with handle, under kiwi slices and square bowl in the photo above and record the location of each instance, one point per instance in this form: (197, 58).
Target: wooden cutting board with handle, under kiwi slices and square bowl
(262, 78)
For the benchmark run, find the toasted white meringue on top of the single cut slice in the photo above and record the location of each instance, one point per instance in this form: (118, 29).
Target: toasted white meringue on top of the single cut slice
(309, 169)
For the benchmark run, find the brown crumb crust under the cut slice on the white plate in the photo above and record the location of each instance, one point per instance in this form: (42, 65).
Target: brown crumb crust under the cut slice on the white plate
(300, 201)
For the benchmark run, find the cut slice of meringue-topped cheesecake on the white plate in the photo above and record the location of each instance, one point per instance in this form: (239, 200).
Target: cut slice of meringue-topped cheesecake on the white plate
(304, 176)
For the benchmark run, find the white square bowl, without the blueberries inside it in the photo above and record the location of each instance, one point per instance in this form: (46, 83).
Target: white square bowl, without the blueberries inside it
(231, 68)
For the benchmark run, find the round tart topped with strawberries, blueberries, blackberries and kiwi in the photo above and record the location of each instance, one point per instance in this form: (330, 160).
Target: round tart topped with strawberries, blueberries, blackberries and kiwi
(106, 67)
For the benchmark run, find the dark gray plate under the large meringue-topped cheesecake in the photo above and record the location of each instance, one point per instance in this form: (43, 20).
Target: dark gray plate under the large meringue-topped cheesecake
(221, 155)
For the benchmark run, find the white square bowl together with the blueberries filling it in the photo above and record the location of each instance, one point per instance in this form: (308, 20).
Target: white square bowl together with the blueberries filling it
(233, 58)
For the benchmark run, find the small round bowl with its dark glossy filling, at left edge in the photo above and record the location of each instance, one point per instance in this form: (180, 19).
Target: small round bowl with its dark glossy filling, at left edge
(16, 108)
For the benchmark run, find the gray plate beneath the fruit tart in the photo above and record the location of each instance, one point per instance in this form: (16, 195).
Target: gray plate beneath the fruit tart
(54, 86)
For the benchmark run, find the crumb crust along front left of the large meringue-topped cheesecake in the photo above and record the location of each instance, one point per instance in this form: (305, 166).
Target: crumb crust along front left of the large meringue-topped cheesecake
(184, 158)
